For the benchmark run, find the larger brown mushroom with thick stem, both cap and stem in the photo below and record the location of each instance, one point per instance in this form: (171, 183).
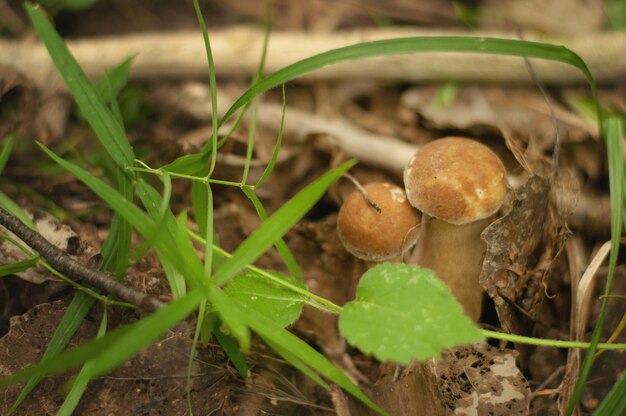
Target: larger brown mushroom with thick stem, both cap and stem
(456, 183)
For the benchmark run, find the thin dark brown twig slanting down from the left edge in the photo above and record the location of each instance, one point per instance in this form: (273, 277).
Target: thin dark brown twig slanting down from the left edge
(63, 263)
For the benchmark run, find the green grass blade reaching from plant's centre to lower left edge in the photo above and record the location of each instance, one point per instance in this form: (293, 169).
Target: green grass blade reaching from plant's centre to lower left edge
(116, 347)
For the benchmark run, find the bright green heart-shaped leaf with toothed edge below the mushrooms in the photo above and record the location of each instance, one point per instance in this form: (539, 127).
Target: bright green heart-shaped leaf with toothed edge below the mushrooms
(404, 312)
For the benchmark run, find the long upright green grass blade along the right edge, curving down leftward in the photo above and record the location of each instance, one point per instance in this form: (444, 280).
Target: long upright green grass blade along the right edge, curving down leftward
(613, 136)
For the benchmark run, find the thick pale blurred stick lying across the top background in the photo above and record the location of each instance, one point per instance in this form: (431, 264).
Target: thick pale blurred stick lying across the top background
(236, 50)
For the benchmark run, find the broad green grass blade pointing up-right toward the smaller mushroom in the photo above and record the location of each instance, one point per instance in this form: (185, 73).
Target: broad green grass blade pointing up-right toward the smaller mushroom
(278, 224)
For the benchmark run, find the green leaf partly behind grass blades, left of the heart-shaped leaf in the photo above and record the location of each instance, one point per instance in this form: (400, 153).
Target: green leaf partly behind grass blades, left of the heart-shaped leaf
(265, 297)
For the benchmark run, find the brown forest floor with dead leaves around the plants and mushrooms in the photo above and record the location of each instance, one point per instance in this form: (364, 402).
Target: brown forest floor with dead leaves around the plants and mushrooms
(554, 222)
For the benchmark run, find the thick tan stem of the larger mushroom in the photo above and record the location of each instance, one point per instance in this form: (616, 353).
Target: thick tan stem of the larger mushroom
(455, 253)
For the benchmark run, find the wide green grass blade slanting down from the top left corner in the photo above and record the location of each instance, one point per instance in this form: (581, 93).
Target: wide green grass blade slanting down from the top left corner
(105, 126)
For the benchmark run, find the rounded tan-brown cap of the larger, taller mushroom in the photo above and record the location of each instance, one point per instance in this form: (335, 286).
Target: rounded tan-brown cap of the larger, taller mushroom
(456, 180)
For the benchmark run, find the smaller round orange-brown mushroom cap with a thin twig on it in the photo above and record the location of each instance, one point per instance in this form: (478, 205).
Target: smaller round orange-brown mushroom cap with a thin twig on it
(377, 236)
